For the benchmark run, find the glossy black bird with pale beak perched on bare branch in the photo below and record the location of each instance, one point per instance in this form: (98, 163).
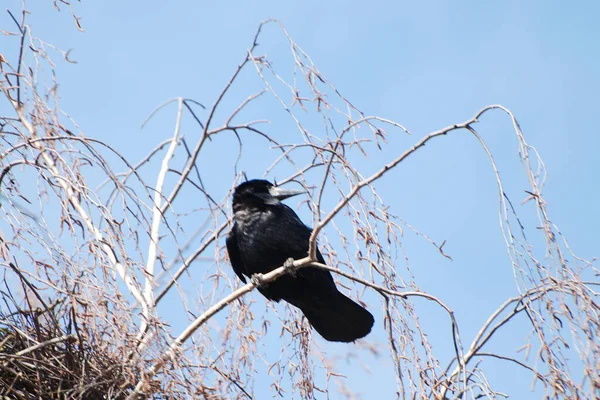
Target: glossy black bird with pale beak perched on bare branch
(265, 234)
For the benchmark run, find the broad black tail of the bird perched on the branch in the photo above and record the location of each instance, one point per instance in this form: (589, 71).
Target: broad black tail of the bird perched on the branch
(339, 319)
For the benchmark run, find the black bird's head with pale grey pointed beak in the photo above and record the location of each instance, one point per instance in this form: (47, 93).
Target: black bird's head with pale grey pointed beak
(258, 192)
